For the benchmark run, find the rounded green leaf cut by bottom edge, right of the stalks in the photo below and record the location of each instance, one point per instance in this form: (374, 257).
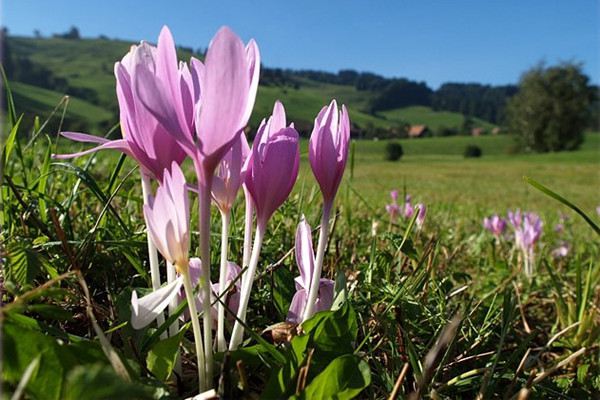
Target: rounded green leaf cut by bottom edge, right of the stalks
(344, 378)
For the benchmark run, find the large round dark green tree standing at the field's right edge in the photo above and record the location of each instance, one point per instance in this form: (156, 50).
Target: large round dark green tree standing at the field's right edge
(551, 109)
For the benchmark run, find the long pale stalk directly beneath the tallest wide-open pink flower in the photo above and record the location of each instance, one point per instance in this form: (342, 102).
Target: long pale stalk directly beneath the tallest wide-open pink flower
(204, 228)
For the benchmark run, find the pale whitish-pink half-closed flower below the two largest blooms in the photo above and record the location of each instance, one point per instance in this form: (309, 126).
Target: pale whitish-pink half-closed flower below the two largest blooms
(168, 218)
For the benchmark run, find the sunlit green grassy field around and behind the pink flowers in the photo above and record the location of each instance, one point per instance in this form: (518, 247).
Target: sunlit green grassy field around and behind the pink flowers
(443, 311)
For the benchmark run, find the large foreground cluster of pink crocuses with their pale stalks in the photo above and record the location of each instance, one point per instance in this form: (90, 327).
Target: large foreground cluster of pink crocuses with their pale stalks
(171, 111)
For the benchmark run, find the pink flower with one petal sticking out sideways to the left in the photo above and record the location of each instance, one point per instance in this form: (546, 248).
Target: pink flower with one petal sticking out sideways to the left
(144, 138)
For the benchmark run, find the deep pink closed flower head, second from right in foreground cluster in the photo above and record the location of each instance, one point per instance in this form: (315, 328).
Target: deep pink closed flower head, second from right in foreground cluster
(272, 167)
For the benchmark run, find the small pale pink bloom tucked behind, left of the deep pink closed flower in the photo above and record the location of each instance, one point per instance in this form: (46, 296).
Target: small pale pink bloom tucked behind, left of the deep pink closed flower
(230, 175)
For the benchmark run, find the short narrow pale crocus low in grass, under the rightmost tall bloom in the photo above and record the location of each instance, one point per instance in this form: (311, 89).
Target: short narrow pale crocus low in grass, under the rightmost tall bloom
(305, 260)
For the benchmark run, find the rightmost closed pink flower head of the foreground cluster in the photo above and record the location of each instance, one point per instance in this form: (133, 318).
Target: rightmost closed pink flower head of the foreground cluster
(328, 148)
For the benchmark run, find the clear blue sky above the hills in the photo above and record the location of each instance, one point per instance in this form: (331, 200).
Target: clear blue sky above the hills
(435, 41)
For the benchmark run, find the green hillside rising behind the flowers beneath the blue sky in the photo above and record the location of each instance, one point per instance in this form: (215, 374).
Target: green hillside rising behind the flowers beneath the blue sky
(84, 69)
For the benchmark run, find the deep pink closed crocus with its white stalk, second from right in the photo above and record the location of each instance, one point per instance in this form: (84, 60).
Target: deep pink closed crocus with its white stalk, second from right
(271, 171)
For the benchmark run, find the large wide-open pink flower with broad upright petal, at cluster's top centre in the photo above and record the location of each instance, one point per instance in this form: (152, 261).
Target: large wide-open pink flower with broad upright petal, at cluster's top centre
(223, 95)
